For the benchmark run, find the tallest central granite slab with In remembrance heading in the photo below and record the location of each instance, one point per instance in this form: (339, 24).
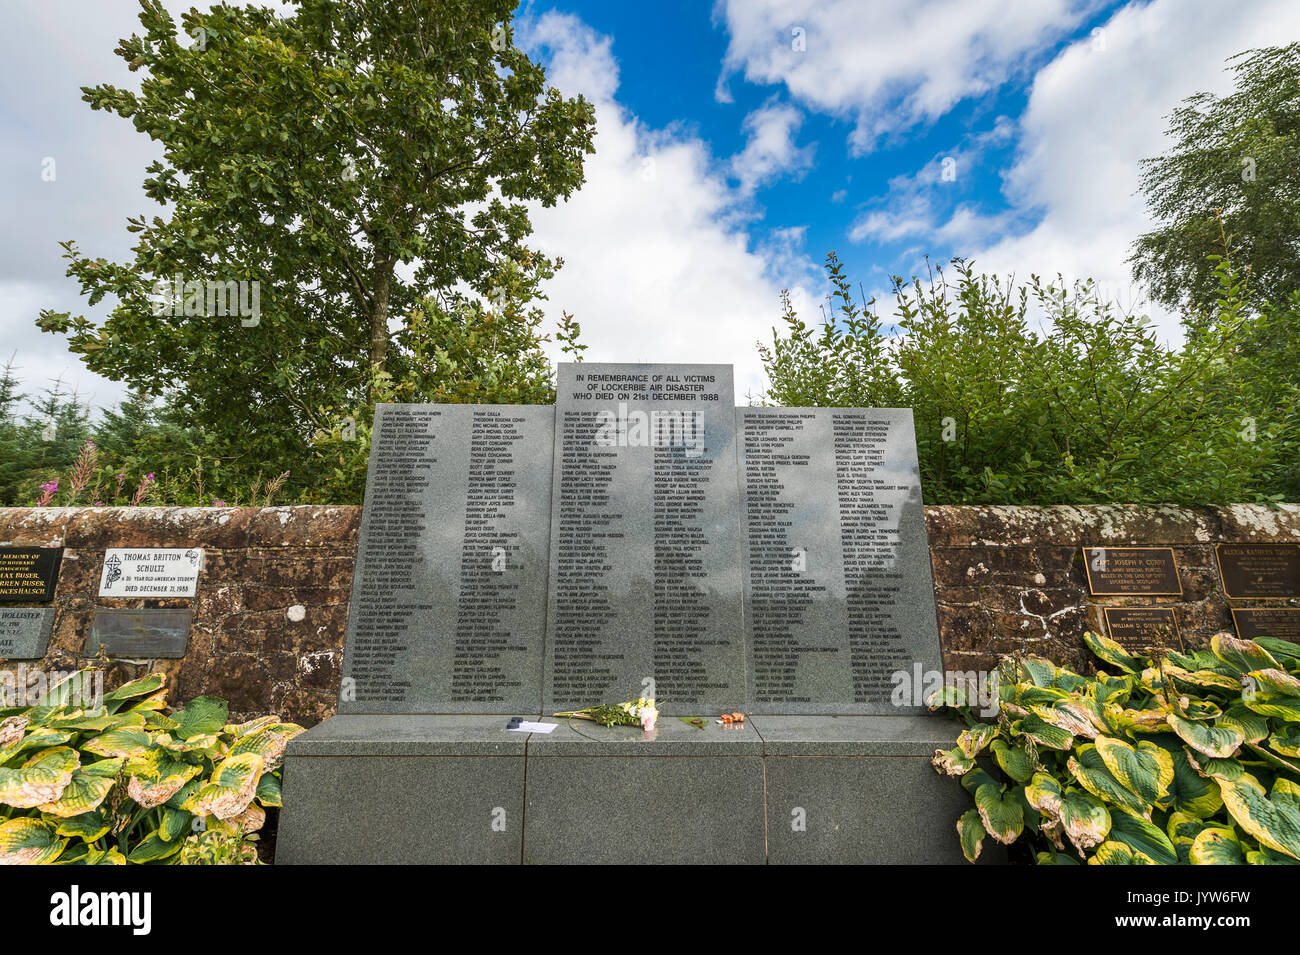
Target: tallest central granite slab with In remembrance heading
(645, 584)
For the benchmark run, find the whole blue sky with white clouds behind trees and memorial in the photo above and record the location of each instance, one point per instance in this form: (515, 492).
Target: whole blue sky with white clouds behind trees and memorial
(739, 142)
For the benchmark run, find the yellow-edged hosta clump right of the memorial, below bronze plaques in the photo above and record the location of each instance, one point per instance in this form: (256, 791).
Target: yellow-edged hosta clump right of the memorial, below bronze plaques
(1181, 759)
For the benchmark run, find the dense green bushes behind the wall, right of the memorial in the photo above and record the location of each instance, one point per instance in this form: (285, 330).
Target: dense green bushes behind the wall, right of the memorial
(1090, 407)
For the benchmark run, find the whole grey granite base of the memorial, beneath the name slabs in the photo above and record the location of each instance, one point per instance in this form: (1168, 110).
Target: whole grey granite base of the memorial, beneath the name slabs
(463, 789)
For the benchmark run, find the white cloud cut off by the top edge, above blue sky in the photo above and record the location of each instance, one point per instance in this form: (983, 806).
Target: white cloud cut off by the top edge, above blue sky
(886, 66)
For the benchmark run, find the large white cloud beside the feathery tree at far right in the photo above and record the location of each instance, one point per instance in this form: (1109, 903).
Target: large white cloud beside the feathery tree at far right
(1095, 112)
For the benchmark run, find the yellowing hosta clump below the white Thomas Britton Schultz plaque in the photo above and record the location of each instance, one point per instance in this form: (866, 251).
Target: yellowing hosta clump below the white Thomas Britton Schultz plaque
(127, 783)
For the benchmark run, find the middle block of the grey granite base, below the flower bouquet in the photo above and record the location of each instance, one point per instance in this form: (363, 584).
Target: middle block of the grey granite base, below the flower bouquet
(644, 809)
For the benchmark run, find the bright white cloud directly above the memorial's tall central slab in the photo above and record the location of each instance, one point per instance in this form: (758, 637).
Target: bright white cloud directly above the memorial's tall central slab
(657, 263)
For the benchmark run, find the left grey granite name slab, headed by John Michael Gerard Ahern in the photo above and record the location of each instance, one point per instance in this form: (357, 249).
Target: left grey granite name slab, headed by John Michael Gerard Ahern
(449, 598)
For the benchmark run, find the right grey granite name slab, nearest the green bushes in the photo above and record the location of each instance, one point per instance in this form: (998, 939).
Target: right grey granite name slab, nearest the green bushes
(839, 594)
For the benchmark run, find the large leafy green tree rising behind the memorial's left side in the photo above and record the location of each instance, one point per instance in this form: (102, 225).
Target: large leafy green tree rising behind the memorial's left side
(352, 163)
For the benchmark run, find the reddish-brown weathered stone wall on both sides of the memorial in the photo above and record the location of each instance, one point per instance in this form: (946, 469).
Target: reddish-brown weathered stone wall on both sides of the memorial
(271, 609)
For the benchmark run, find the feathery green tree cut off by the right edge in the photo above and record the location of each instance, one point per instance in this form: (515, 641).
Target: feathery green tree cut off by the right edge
(1230, 184)
